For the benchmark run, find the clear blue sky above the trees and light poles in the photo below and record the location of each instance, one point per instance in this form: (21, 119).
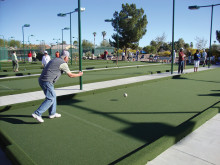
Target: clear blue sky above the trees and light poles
(45, 25)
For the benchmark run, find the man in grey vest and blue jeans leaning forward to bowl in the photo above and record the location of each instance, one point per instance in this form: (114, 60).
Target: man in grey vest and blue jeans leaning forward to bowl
(49, 76)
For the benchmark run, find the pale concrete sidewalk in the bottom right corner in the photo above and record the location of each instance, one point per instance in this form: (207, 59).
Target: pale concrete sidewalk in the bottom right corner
(201, 147)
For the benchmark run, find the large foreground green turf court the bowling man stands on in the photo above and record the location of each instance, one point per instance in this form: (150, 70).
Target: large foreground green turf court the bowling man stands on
(103, 127)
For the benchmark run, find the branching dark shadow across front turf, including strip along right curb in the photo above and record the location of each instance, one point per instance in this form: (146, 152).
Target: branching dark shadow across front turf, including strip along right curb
(147, 132)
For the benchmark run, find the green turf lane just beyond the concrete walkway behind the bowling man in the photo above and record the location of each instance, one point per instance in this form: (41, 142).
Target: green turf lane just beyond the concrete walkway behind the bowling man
(29, 84)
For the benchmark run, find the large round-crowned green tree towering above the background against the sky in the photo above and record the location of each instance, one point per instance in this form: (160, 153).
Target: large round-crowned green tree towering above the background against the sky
(130, 30)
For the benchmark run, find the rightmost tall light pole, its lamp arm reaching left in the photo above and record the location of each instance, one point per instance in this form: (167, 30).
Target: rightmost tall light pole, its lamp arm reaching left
(210, 42)
